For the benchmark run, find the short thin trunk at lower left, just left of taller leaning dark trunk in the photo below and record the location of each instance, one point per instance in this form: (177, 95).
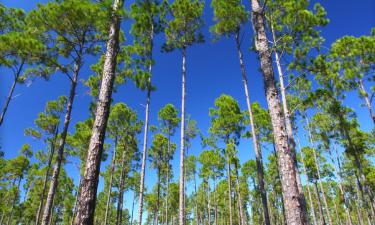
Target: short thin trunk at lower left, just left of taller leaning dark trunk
(46, 176)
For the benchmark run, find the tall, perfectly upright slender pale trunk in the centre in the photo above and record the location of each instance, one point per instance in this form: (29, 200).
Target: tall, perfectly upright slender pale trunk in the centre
(182, 145)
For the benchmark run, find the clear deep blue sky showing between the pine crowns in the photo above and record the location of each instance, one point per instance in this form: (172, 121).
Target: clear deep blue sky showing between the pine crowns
(212, 69)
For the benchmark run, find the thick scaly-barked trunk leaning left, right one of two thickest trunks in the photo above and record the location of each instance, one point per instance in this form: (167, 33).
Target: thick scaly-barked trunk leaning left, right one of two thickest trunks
(295, 212)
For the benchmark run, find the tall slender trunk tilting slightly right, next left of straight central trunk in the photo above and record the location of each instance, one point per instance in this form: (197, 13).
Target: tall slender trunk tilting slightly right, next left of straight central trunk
(145, 136)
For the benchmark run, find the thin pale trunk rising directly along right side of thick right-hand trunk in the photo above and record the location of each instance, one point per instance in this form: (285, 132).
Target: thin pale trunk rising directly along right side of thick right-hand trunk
(288, 121)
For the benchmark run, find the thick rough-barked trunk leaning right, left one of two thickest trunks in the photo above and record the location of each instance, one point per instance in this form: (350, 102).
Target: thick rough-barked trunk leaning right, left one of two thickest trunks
(87, 197)
